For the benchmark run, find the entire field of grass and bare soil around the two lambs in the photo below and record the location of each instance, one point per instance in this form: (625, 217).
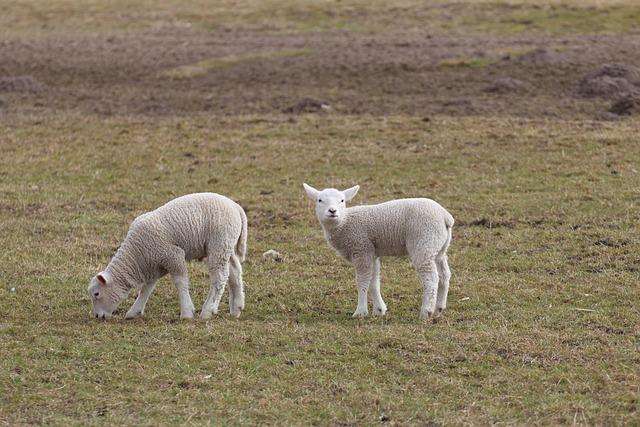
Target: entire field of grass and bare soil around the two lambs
(503, 111)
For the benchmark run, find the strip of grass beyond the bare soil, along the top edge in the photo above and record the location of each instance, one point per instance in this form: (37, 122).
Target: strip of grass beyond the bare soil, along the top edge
(27, 18)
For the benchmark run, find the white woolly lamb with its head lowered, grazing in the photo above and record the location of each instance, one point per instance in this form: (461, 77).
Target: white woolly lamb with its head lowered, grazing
(194, 226)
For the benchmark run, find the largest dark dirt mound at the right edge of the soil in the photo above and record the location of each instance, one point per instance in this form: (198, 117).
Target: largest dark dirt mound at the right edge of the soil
(611, 81)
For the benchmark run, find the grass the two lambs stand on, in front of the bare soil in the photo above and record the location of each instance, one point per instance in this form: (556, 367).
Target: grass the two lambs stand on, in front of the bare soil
(512, 348)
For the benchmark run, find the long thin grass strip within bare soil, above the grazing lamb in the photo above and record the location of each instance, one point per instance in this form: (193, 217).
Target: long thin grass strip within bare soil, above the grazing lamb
(208, 65)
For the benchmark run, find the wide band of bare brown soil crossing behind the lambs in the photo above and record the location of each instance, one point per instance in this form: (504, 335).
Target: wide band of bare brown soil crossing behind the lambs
(354, 73)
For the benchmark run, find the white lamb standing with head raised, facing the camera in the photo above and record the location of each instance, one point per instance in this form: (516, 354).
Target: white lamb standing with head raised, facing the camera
(419, 228)
